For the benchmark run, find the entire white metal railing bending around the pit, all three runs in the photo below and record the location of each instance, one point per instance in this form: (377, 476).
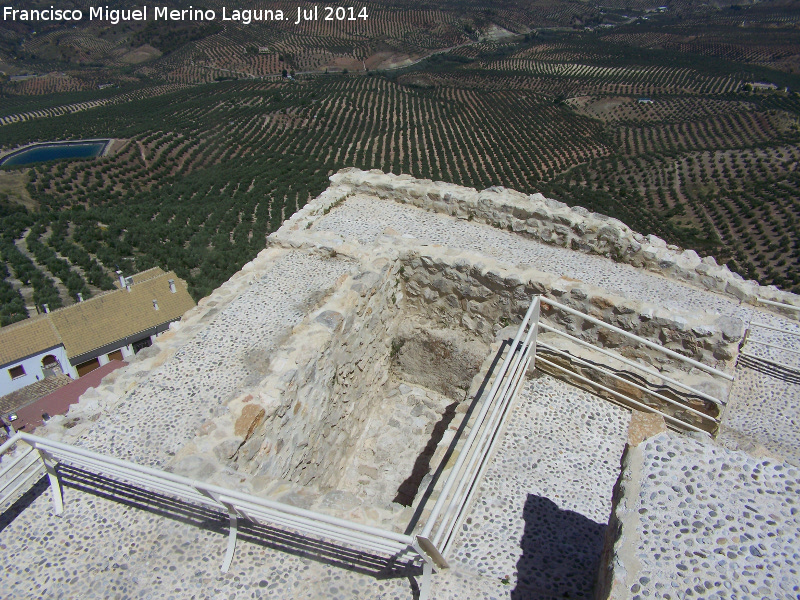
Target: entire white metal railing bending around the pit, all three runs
(450, 509)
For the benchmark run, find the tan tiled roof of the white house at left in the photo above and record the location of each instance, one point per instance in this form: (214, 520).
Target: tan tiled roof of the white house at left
(101, 320)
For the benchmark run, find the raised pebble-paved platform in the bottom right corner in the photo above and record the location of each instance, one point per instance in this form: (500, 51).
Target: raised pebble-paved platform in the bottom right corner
(715, 524)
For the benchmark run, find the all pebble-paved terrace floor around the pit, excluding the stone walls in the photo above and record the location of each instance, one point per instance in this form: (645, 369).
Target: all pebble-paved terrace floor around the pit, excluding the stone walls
(699, 517)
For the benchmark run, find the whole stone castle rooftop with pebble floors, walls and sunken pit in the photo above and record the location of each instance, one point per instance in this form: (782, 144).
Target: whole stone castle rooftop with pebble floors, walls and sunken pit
(354, 348)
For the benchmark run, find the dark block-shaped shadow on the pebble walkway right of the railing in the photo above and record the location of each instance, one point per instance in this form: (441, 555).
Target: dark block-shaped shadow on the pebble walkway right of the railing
(560, 553)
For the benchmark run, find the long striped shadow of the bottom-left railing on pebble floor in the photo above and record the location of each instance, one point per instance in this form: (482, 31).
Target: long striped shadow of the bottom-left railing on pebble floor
(210, 519)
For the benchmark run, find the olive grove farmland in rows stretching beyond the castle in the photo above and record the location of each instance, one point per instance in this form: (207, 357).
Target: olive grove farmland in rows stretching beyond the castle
(215, 148)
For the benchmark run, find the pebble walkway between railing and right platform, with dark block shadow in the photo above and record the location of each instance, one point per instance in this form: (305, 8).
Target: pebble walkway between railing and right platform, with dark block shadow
(536, 528)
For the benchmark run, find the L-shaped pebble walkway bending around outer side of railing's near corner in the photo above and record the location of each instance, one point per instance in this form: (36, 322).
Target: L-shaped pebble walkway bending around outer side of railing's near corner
(551, 481)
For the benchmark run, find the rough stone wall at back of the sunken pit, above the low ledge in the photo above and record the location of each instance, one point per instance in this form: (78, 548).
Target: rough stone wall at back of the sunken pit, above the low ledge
(467, 291)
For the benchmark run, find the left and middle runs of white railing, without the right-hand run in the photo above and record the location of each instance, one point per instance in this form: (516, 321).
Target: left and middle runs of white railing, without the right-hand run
(239, 504)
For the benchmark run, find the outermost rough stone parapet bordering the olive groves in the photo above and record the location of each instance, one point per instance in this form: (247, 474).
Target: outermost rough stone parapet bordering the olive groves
(553, 222)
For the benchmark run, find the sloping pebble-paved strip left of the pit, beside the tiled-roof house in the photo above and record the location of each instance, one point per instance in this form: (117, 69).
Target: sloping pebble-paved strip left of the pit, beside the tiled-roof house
(163, 412)
